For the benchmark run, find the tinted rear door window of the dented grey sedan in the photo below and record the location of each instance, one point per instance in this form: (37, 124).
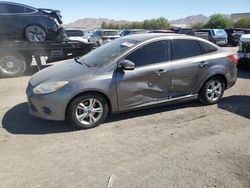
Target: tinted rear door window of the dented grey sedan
(186, 48)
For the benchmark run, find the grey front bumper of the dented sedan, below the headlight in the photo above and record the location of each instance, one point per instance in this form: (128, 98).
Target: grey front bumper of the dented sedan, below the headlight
(49, 106)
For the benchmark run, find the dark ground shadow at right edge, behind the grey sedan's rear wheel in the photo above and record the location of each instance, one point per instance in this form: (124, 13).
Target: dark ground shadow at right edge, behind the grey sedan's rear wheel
(237, 104)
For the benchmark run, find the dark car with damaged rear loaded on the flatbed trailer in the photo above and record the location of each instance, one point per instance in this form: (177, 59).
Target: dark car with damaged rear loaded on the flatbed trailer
(22, 22)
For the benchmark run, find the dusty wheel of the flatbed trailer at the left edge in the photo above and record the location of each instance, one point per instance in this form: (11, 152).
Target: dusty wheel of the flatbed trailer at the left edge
(12, 65)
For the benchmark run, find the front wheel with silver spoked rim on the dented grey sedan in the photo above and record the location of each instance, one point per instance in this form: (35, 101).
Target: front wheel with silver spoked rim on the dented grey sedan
(88, 111)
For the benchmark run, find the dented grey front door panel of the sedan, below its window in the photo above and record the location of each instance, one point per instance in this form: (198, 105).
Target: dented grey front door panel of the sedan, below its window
(143, 85)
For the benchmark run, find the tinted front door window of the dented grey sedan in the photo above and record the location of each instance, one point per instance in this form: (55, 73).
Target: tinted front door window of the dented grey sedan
(155, 52)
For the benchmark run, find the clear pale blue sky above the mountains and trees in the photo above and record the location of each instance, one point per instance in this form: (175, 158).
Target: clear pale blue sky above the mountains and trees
(138, 10)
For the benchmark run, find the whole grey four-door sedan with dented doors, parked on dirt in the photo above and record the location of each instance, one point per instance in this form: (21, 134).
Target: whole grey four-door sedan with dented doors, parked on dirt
(132, 72)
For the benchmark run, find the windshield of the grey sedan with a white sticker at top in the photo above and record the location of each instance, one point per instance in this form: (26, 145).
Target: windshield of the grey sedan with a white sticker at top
(108, 52)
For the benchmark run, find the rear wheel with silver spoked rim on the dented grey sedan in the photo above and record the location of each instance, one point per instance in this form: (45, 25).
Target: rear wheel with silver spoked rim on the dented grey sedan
(215, 96)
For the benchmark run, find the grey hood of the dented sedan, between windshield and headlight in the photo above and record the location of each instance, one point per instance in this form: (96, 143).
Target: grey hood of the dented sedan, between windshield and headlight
(67, 71)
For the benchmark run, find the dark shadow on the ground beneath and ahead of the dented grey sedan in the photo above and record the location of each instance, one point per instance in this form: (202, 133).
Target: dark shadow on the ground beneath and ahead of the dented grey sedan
(18, 121)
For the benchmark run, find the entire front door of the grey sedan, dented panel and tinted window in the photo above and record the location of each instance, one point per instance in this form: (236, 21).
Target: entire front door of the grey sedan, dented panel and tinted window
(150, 81)
